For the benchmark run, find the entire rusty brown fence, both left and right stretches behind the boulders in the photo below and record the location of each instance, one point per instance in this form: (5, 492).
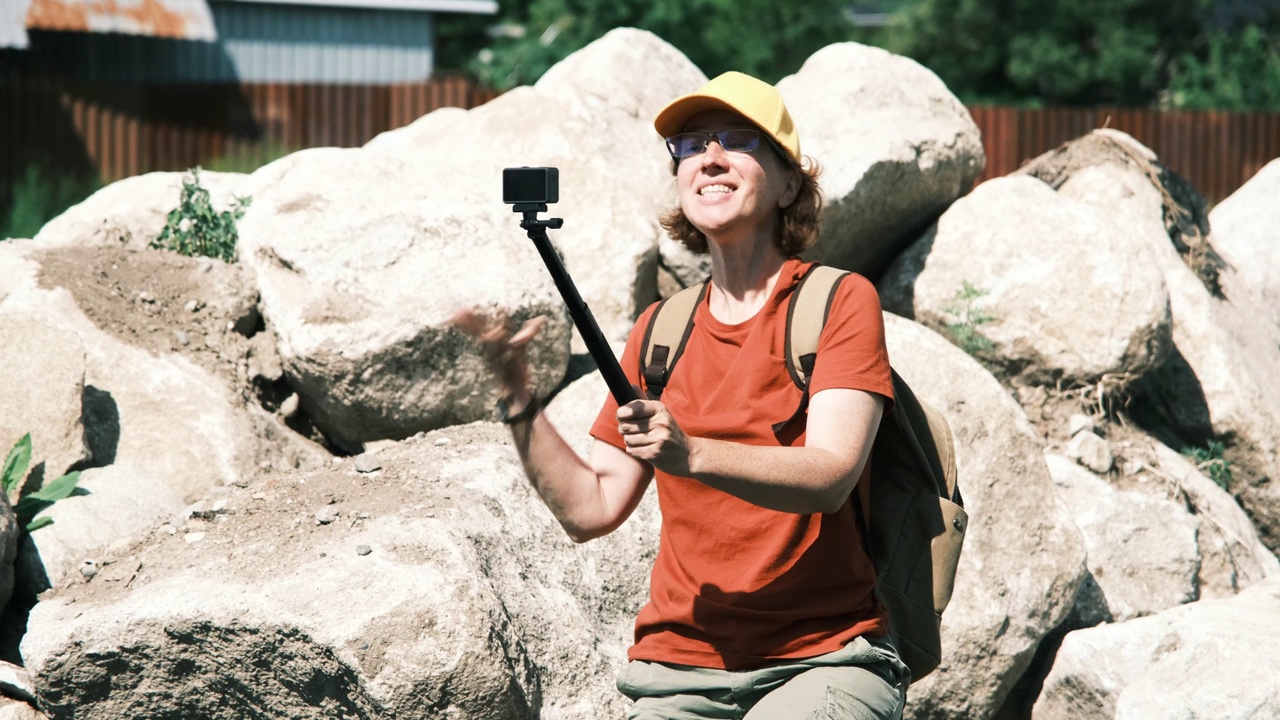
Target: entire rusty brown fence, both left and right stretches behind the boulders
(115, 131)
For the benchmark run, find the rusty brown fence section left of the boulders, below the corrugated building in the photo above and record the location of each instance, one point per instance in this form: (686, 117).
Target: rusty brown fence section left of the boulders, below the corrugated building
(121, 130)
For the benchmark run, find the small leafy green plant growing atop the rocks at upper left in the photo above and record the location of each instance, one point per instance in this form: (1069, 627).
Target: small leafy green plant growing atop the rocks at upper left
(195, 229)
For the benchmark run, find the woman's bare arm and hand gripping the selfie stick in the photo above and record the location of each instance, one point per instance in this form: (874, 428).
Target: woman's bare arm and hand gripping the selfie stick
(815, 479)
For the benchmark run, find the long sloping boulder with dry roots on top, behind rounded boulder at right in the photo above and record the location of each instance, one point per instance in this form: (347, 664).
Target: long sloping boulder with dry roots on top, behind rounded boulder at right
(1218, 382)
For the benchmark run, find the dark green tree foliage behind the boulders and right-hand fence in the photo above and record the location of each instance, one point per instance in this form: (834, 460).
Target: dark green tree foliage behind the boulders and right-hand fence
(1220, 54)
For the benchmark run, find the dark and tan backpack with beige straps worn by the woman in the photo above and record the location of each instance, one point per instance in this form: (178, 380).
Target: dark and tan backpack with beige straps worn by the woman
(916, 525)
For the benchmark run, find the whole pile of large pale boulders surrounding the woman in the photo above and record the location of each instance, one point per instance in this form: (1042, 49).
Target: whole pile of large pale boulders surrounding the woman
(295, 503)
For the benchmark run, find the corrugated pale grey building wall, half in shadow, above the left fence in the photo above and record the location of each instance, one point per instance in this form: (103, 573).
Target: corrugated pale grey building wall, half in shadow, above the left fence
(259, 44)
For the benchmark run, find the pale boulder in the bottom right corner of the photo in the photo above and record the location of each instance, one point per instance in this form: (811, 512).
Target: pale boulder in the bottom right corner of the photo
(1183, 663)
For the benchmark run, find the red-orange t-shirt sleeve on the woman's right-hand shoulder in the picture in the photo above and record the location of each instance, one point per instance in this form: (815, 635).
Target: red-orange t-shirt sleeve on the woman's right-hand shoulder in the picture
(852, 352)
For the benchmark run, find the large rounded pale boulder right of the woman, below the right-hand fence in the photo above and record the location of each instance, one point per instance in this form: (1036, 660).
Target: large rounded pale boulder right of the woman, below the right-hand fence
(1009, 265)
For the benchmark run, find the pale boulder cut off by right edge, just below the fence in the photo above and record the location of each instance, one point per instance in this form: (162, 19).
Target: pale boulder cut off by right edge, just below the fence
(1244, 229)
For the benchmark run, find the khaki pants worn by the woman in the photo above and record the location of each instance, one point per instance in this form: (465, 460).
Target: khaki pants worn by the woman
(863, 681)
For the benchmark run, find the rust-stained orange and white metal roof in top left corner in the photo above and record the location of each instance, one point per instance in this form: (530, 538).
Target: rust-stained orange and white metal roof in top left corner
(182, 20)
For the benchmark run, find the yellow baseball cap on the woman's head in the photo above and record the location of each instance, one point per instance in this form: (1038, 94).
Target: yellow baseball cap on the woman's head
(743, 94)
